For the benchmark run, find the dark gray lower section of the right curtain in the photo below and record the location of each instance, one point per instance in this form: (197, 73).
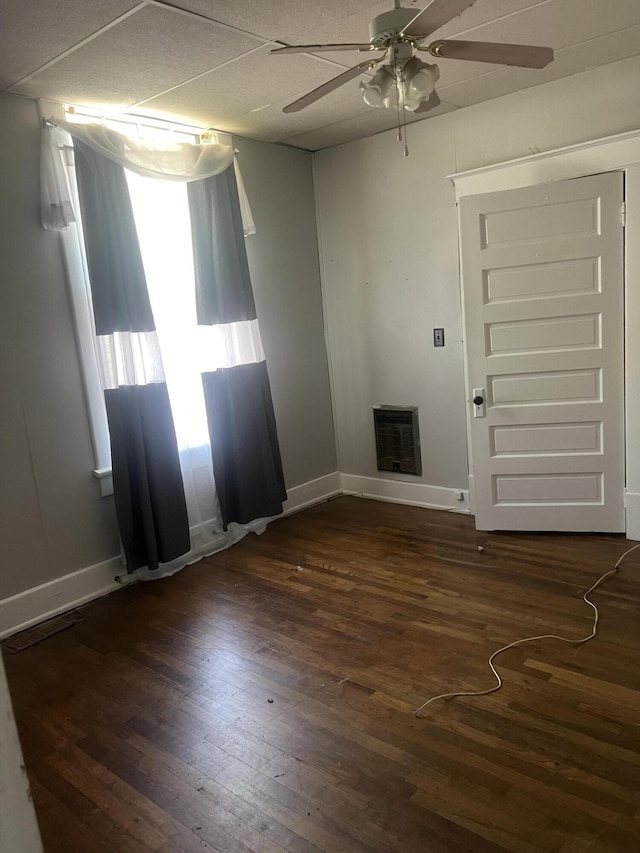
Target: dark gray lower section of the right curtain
(244, 443)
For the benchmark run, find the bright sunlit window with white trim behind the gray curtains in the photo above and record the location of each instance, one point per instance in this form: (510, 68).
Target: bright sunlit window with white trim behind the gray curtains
(162, 219)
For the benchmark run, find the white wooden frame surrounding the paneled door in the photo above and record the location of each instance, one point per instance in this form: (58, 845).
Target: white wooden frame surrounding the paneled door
(619, 153)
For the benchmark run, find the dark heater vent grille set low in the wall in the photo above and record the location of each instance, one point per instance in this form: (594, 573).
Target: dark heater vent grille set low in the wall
(397, 439)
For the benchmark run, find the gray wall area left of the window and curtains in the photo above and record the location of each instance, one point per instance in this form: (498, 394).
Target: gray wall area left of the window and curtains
(52, 517)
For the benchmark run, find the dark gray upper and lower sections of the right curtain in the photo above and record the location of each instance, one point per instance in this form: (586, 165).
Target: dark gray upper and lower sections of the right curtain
(244, 443)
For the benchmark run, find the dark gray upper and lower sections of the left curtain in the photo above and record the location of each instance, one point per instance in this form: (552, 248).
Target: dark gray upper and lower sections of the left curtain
(147, 481)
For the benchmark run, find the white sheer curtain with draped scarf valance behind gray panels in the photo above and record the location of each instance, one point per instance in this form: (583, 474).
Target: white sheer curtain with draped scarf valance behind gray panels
(110, 361)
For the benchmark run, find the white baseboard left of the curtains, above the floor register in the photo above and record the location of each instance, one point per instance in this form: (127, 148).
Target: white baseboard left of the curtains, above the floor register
(59, 595)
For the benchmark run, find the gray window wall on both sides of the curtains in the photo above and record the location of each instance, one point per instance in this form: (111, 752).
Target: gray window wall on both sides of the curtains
(53, 520)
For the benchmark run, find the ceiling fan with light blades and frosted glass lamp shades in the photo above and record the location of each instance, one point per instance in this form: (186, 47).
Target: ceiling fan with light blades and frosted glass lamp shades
(399, 34)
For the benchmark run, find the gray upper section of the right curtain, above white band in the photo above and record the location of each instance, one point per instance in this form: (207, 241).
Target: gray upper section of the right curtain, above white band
(223, 285)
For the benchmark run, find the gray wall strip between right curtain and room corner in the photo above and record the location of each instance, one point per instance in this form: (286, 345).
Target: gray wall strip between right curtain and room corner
(283, 258)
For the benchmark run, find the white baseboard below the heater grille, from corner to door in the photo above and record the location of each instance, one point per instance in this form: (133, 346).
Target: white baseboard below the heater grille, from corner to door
(399, 491)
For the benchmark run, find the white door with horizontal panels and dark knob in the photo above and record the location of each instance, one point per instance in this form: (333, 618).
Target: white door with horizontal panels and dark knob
(543, 302)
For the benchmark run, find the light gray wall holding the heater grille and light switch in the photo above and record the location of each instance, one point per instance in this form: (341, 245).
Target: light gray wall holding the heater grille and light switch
(389, 254)
